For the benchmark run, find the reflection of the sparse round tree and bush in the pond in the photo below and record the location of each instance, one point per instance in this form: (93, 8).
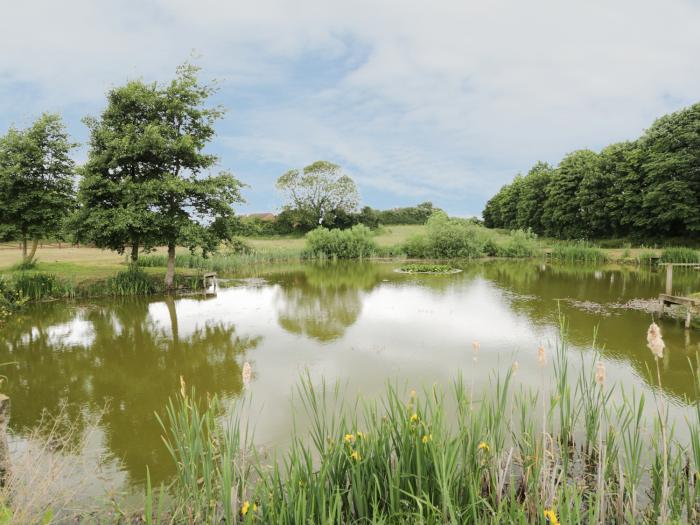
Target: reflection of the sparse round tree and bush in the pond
(323, 300)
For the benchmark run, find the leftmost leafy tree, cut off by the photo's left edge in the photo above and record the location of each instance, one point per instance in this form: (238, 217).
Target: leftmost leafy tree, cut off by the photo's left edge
(36, 181)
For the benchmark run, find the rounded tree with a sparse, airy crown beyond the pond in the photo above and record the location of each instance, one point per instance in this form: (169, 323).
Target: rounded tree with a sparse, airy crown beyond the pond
(317, 190)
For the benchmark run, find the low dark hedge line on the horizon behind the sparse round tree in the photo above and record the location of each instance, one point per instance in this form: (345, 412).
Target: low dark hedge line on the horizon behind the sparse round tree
(296, 220)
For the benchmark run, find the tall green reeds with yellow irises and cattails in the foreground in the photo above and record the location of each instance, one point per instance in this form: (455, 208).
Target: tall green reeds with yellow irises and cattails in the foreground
(568, 452)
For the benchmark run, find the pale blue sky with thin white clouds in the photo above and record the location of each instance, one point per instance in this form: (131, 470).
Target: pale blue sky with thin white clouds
(436, 100)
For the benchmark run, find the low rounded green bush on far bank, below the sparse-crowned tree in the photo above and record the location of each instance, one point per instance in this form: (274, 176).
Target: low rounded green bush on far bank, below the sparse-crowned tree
(354, 243)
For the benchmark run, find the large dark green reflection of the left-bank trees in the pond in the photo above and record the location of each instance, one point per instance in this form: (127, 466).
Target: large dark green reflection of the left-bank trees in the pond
(127, 362)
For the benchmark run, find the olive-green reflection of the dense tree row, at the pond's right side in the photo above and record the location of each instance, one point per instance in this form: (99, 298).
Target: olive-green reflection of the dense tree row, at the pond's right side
(621, 332)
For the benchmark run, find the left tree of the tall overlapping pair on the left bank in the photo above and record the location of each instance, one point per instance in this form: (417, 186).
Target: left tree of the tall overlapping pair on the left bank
(115, 213)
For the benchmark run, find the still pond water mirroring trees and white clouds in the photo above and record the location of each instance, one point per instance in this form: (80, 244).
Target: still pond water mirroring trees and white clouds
(359, 323)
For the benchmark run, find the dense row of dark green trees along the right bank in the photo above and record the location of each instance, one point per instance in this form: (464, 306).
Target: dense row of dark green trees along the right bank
(644, 189)
